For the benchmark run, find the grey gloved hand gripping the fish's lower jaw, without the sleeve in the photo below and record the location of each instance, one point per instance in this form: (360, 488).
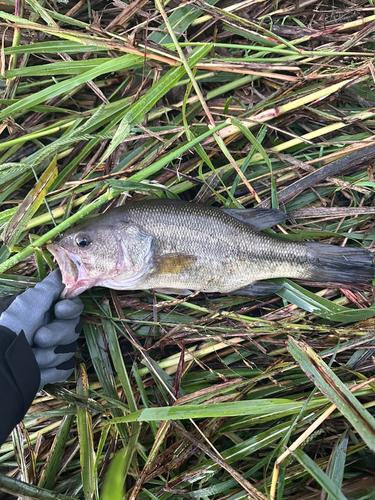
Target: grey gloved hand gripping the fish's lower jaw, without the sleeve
(52, 332)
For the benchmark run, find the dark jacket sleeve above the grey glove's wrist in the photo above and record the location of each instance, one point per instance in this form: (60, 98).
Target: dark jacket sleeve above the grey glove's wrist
(19, 379)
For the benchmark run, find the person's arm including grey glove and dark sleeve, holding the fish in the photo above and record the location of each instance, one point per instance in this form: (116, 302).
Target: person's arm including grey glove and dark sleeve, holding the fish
(37, 344)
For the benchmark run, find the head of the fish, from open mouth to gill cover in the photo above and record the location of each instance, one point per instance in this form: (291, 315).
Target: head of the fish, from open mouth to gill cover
(95, 253)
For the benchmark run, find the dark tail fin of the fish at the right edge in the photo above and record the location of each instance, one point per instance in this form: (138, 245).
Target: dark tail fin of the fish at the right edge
(341, 264)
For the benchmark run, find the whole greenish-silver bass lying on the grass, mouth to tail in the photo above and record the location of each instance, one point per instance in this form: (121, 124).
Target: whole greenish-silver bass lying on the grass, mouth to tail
(179, 247)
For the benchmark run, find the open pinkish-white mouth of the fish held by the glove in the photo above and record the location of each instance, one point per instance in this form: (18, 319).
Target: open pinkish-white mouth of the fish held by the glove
(75, 276)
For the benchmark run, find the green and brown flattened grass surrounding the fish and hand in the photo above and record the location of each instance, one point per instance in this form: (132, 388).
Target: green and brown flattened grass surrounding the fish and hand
(238, 105)
